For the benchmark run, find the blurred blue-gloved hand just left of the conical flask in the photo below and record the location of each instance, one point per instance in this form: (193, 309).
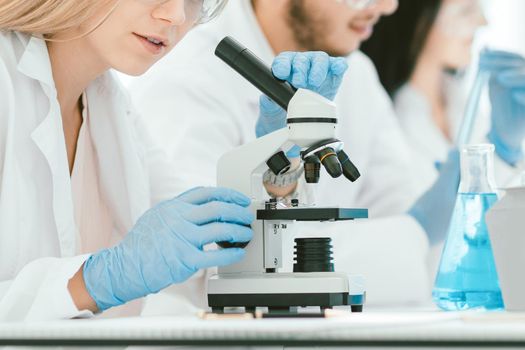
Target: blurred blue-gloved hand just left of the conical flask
(433, 210)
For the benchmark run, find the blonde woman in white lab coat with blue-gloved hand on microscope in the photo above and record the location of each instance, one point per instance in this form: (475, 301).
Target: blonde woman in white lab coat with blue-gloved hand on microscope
(75, 162)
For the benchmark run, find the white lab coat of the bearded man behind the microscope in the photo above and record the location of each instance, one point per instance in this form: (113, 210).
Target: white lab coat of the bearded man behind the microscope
(199, 109)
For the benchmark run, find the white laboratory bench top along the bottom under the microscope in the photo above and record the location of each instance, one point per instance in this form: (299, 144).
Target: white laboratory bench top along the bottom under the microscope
(367, 330)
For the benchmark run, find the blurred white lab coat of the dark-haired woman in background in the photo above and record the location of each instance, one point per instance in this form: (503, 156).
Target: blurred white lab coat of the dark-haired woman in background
(429, 145)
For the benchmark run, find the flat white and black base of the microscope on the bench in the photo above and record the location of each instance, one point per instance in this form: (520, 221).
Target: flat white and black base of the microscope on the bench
(285, 291)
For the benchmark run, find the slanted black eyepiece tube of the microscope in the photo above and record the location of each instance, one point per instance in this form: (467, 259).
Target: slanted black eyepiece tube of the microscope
(255, 71)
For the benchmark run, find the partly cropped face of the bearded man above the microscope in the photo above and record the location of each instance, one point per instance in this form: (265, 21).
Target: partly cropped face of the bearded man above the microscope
(335, 26)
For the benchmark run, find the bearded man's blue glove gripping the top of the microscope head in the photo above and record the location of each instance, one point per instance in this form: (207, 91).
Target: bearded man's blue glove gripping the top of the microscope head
(314, 71)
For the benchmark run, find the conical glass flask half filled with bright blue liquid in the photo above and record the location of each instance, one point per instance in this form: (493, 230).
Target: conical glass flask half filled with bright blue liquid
(467, 275)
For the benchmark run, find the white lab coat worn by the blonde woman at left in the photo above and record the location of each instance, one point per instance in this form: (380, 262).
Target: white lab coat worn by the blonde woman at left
(38, 251)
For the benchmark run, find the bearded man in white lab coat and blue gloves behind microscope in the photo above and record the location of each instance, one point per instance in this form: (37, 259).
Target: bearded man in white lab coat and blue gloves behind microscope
(192, 97)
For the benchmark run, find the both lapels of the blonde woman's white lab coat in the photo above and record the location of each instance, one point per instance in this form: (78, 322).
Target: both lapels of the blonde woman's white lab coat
(122, 175)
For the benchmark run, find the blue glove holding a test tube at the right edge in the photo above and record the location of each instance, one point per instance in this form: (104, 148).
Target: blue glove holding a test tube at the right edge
(507, 96)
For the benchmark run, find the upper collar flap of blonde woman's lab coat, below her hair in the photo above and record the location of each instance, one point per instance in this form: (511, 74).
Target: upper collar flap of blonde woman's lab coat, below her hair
(35, 62)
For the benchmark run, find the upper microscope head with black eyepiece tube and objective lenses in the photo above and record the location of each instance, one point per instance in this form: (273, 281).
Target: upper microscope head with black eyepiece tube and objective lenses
(311, 120)
